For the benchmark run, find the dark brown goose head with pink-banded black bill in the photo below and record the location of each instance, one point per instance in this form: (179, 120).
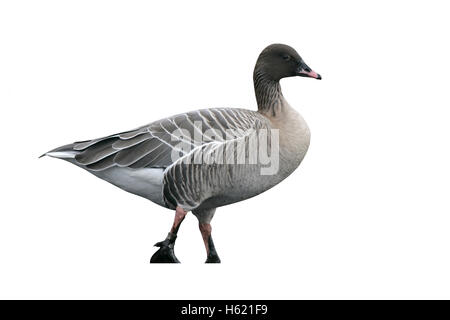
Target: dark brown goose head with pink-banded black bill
(279, 61)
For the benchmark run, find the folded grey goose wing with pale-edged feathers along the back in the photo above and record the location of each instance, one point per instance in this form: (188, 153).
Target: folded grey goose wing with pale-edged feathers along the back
(161, 143)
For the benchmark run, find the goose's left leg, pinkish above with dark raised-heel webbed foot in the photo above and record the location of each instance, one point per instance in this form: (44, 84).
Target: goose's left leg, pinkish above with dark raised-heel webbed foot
(165, 253)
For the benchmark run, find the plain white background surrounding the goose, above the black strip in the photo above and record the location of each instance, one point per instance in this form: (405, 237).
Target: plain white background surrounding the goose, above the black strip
(365, 216)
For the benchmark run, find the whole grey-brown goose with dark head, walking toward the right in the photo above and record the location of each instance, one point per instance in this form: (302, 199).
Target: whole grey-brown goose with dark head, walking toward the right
(201, 160)
